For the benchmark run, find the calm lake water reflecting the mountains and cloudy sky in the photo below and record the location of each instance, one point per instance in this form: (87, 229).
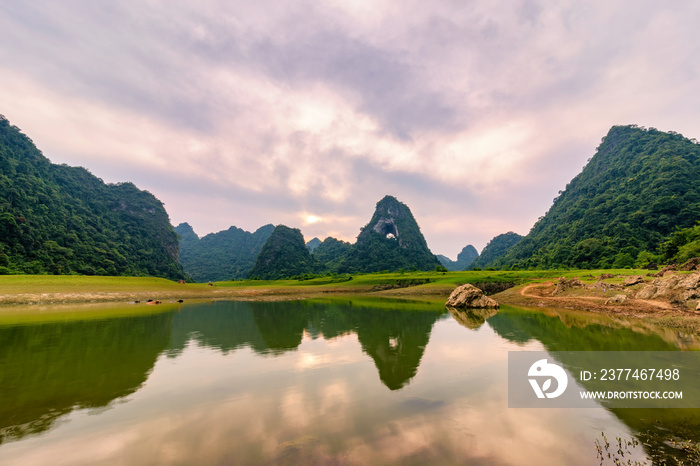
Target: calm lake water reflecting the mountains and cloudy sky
(307, 382)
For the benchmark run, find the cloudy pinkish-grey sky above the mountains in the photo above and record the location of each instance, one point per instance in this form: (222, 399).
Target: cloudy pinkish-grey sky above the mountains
(306, 113)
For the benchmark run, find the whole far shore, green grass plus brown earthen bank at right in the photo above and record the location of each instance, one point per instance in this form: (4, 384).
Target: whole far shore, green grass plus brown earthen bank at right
(533, 289)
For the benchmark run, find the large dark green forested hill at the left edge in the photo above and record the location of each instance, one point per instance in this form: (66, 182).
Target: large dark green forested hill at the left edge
(59, 219)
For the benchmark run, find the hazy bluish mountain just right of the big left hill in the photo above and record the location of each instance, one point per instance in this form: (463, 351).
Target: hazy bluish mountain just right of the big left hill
(226, 255)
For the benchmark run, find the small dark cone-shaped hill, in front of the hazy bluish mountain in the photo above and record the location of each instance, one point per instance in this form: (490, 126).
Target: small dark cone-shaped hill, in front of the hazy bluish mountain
(283, 255)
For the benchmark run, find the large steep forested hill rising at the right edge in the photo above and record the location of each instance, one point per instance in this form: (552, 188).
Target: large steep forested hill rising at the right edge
(639, 187)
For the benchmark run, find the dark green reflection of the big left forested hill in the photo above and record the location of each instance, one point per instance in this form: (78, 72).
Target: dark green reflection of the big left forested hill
(50, 369)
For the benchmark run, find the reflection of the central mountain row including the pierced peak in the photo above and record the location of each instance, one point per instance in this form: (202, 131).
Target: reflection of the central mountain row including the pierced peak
(394, 338)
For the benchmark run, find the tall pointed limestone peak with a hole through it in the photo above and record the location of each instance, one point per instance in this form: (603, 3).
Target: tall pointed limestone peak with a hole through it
(392, 241)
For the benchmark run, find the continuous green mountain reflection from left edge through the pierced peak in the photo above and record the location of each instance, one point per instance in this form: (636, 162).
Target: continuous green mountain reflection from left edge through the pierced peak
(50, 369)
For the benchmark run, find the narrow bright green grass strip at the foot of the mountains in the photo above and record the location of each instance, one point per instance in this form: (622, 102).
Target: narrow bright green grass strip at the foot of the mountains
(46, 289)
